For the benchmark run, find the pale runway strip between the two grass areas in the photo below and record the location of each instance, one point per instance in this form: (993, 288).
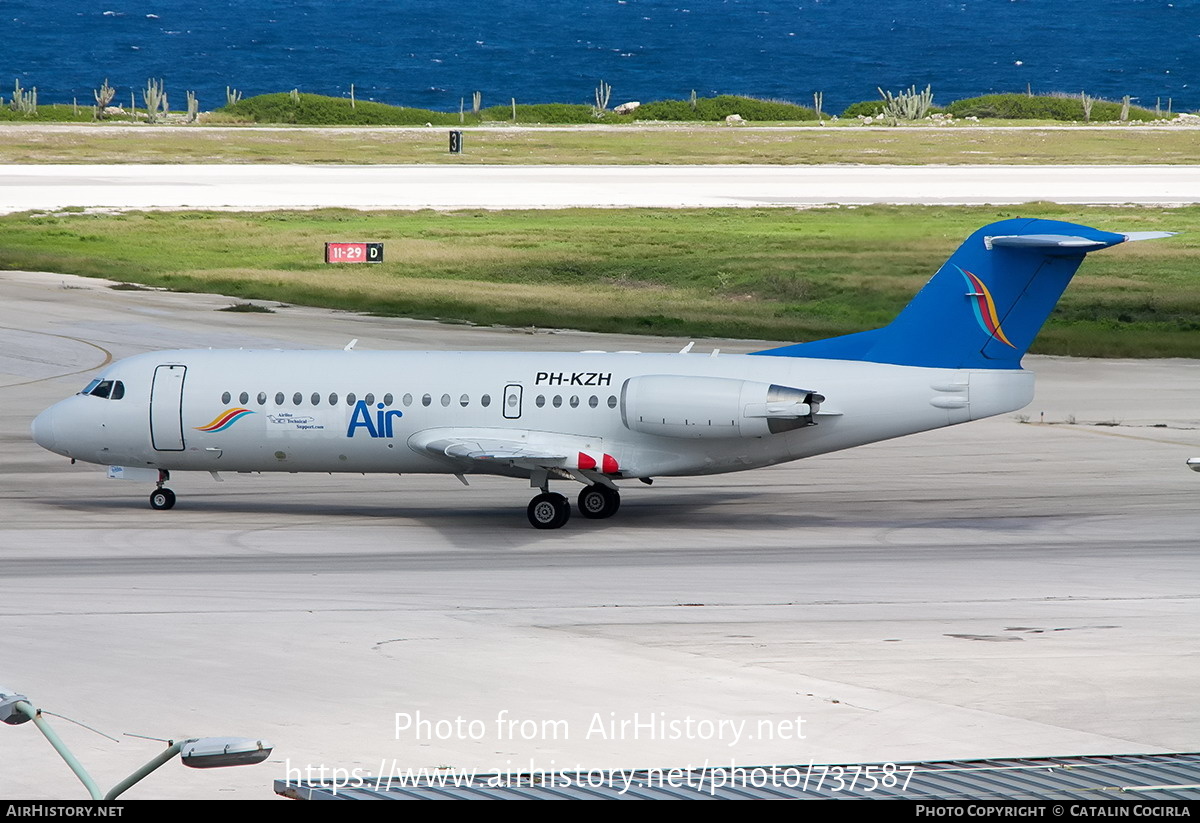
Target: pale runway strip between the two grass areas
(259, 188)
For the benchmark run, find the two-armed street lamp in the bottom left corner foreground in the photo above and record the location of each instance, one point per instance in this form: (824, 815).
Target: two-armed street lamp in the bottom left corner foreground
(196, 753)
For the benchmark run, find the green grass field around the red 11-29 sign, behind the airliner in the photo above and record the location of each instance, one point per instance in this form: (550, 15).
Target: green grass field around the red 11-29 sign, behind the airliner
(773, 274)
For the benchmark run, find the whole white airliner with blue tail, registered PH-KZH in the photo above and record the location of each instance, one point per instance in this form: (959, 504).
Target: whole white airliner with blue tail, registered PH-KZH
(952, 356)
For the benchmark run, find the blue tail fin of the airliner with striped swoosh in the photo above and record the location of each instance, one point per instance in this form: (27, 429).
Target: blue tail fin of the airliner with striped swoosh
(985, 307)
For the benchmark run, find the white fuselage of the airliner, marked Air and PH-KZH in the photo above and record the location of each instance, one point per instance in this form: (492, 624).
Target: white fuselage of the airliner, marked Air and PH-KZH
(244, 411)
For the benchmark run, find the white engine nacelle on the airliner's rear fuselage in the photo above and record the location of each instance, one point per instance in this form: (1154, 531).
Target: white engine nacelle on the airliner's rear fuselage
(713, 407)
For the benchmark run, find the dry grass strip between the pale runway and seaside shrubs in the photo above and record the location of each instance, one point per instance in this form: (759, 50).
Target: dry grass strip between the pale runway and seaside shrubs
(623, 146)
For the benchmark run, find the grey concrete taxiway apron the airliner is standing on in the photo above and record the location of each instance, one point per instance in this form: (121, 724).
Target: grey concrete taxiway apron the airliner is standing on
(1005, 588)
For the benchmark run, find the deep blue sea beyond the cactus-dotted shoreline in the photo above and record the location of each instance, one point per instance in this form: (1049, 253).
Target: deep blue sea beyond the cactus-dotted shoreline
(434, 53)
